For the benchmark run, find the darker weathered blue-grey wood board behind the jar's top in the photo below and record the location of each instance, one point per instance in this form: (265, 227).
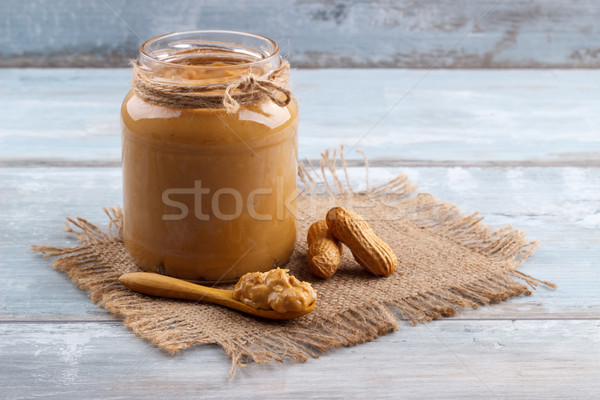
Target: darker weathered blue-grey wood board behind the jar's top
(315, 33)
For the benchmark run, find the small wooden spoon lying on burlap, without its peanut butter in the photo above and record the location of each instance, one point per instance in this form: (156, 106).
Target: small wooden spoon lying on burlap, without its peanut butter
(165, 286)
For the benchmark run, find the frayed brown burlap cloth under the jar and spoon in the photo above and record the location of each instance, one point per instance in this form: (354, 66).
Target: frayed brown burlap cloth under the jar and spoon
(447, 261)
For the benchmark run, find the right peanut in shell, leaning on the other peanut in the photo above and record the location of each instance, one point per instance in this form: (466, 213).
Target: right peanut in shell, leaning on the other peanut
(369, 250)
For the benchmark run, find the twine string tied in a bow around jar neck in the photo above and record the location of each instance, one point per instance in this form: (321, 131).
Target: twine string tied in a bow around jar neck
(230, 96)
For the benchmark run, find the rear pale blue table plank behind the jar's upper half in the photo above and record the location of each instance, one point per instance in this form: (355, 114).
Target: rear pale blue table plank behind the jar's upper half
(464, 116)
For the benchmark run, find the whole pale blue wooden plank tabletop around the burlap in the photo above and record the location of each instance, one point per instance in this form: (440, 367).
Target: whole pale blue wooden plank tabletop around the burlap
(521, 146)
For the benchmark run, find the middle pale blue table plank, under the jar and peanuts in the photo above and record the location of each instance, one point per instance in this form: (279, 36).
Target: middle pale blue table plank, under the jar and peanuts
(558, 206)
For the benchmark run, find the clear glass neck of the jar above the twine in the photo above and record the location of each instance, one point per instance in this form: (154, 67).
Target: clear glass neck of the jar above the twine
(208, 57)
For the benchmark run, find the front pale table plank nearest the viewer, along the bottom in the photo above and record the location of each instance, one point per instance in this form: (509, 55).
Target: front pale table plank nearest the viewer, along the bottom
(444, 359)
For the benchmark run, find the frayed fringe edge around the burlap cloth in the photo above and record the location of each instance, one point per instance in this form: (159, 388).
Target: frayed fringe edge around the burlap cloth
(356, 325)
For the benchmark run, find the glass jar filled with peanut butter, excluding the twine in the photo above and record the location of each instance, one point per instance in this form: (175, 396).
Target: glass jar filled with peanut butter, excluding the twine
(208, 193)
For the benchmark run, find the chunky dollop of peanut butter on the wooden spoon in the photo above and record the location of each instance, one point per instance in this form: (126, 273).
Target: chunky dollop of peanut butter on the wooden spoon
(274, 290)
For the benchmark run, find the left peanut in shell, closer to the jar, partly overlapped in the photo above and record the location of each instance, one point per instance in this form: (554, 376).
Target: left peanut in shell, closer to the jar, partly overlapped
(324, 251)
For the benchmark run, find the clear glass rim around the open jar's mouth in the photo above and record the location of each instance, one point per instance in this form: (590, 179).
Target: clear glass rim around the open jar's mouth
(271, 53)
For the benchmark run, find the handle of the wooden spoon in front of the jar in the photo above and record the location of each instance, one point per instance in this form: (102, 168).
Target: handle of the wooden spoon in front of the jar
(165, 286)
